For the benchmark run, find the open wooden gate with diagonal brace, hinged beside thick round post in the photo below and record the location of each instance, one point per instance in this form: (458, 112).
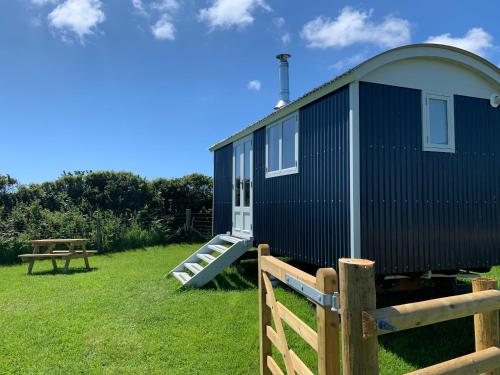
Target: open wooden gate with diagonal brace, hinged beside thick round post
(325, 341)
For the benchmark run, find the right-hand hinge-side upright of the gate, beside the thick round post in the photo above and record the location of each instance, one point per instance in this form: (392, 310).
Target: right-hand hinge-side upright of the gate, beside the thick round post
(328, 325)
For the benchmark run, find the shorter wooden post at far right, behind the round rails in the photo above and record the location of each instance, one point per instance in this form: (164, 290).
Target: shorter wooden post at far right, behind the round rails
(486, 324)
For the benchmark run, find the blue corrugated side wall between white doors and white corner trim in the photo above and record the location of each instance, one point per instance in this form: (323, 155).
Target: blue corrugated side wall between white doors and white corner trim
(306, 215)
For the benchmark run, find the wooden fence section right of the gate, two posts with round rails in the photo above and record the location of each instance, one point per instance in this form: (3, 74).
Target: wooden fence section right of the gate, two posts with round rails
(362, 323)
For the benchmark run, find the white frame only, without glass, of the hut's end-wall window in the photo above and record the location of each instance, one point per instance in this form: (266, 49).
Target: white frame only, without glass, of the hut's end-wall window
(427, 146)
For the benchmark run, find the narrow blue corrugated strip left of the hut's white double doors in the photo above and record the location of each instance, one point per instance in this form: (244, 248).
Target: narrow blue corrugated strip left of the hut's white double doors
(223, 175)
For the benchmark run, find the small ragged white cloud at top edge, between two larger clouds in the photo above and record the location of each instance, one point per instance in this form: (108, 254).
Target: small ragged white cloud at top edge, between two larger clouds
(163, 11)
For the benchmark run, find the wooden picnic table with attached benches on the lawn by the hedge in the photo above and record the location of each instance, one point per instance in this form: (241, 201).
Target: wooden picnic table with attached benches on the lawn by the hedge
(51, 253)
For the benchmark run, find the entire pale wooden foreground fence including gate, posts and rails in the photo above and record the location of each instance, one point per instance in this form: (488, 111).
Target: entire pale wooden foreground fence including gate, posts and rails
(362, 322)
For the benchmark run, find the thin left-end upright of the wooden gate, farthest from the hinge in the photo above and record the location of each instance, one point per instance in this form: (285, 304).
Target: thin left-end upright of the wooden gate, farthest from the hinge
(265, 317)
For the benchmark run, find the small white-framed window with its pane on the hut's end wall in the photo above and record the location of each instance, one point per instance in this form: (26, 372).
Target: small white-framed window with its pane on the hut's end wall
(438, 123)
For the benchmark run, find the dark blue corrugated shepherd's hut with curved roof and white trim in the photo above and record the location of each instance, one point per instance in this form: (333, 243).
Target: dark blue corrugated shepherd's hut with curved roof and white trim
(397, 160)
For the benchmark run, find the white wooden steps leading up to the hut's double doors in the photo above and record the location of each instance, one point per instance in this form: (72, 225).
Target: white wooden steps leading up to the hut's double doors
(210, 260)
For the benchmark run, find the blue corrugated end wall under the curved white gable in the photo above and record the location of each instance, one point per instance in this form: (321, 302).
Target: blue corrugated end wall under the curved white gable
(427, 210)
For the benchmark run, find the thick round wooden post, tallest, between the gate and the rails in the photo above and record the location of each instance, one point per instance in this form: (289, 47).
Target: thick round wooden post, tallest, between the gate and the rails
(357, 294)
